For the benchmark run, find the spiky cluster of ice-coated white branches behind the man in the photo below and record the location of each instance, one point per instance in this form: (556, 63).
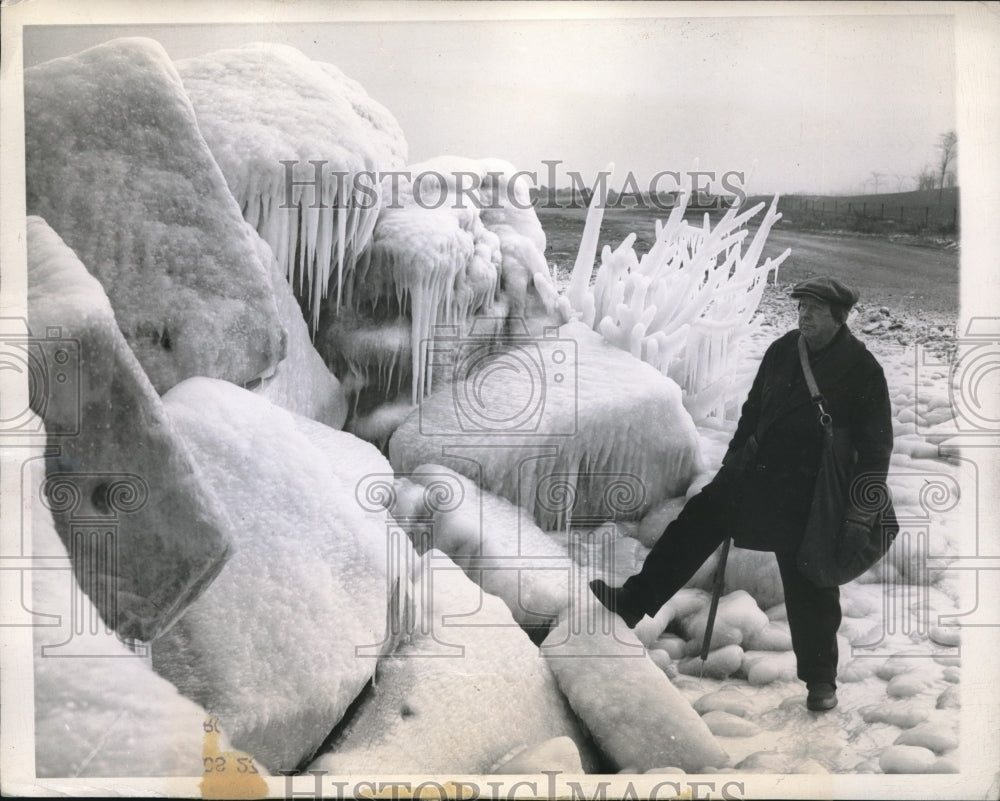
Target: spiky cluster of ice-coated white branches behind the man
(685, 305)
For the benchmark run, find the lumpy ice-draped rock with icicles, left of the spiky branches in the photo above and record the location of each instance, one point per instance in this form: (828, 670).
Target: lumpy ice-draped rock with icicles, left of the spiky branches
(457, 251)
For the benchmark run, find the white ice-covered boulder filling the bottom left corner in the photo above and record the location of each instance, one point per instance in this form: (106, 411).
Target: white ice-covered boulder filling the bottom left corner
(103, 712)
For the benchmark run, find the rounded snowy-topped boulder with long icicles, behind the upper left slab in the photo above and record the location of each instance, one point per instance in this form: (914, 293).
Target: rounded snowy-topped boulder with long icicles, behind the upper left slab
(264, 104)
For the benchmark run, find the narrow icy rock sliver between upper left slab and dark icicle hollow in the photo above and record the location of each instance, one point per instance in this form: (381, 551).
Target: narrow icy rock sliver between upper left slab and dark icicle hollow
(301, 381)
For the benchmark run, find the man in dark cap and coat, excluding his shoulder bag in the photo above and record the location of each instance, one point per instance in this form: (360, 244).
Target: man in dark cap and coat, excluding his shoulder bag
(762, 494)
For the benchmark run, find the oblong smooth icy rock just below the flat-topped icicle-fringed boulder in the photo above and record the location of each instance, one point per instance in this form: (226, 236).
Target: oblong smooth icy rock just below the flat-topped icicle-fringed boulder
(498, 546)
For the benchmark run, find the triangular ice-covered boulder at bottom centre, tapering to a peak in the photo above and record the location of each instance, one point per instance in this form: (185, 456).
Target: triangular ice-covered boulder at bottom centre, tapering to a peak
(466, 665)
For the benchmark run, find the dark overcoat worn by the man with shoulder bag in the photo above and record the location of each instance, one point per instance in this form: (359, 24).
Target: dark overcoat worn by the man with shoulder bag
(775, 487)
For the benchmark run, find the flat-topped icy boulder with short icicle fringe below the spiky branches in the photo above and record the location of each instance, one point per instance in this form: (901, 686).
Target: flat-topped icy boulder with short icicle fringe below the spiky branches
(608, 435)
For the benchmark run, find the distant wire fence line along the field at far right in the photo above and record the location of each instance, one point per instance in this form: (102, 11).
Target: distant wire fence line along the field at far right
(874, 214)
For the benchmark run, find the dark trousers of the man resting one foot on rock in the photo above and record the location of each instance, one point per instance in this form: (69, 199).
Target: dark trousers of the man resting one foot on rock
(704, 522)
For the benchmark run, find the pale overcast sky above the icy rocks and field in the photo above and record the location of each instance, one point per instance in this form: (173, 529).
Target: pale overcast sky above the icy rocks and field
(819, 103)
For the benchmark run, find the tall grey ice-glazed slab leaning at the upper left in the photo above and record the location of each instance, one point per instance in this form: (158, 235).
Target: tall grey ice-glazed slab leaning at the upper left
(115, 162)
